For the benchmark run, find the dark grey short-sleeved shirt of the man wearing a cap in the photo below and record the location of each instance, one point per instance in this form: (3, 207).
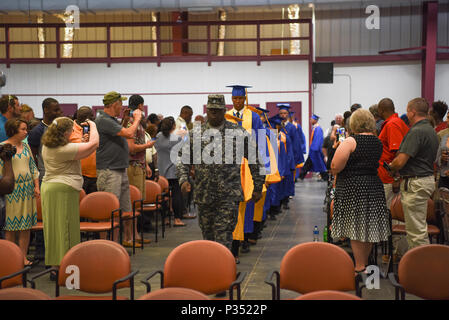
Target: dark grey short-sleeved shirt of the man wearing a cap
(113, 152)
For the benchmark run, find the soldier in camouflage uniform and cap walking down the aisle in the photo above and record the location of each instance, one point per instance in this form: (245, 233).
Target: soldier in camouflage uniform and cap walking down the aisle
(218, 189)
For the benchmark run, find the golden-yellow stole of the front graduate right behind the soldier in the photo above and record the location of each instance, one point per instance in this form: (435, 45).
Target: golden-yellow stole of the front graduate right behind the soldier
(245, 176)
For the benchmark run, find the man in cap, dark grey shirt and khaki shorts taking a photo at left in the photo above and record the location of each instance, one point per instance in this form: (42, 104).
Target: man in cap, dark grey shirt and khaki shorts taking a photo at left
(113, 153)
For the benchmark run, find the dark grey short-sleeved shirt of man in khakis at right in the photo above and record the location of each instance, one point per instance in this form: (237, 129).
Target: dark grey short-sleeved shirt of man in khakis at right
(421, 144)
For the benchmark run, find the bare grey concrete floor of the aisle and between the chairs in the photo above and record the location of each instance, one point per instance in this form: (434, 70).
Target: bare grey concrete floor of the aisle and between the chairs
(291, 228)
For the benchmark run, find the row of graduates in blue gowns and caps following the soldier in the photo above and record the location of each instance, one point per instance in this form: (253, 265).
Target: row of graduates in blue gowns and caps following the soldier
(280, 182)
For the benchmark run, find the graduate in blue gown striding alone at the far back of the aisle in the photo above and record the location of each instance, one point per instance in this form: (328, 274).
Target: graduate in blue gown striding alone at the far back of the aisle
(315, 161)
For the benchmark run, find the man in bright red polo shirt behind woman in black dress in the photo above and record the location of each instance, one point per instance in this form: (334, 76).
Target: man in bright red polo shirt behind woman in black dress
(391, 135)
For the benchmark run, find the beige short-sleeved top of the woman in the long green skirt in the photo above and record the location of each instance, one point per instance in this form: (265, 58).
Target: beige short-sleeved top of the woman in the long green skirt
(61, 166)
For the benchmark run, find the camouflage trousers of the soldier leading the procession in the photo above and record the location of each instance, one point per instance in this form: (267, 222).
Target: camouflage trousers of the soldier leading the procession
(217, 221)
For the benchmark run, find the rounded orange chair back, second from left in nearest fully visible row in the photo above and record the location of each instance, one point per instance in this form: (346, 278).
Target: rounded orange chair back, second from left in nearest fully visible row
(100, 263)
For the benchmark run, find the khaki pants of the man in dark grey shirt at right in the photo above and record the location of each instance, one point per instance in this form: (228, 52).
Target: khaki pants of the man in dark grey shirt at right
(414, 197)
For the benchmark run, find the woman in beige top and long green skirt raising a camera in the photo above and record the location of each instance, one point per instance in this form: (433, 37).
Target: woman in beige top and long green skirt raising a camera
(61, 186)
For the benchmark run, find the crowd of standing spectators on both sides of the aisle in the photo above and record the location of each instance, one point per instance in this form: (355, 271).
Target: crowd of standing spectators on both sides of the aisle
(372, 156)
